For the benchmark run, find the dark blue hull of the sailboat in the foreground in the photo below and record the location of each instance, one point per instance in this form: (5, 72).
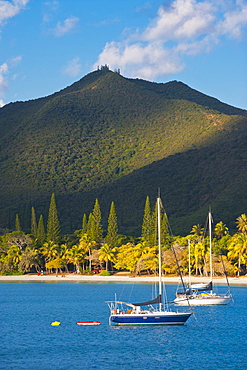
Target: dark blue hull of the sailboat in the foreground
(149, 320)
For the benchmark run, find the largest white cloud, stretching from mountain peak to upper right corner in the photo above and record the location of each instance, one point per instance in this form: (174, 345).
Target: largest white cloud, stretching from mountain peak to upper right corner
(186, 27)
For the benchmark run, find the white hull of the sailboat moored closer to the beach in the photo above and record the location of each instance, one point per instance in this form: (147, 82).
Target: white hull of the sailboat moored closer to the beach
(202, 300)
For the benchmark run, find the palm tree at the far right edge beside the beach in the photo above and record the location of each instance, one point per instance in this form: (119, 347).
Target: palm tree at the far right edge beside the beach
(238, 249)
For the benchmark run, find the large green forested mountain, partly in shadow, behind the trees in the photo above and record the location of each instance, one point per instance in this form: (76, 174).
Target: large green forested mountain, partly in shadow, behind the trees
(119, 139)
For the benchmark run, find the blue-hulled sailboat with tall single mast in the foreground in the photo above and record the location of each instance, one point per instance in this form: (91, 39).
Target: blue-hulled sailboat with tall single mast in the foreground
(153, 312)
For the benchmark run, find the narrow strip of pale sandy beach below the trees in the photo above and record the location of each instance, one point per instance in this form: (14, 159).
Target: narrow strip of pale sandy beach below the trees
(77, 278)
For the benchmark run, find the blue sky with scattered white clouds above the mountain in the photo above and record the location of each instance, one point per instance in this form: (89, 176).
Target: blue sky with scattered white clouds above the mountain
(46, 45)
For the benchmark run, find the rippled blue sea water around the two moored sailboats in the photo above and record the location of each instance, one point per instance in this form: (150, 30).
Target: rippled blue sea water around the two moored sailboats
(214, 338)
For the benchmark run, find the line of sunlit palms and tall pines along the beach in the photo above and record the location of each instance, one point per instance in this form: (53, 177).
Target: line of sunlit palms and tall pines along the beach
(91, 249)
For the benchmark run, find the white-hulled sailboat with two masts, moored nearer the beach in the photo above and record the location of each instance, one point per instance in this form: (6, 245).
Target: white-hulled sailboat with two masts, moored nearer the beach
(202, 294)
